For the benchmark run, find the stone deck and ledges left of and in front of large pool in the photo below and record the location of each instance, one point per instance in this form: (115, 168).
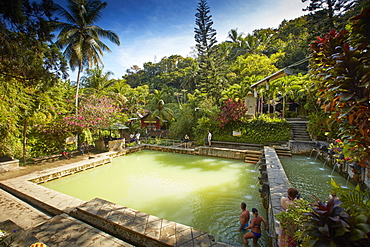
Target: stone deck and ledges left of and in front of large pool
(56, 219)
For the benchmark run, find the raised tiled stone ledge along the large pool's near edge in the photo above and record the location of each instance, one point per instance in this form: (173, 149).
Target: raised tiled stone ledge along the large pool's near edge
(140, 228)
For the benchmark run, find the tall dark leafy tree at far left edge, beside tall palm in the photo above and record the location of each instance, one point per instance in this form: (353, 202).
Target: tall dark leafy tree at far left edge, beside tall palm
(30, 65)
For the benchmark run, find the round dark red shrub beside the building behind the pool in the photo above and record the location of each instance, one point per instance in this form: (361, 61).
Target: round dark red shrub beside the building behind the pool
(231, 111)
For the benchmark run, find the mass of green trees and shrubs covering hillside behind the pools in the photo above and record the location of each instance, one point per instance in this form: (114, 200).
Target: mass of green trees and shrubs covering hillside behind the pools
(186, 94)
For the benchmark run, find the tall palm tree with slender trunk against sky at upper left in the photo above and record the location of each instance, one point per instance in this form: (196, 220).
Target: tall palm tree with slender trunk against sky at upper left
(80, 37)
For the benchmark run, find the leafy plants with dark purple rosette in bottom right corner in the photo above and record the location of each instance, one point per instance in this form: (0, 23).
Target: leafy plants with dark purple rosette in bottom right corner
(342, 221)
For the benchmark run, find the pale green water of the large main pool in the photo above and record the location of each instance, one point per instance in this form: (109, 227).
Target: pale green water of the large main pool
(198, 191)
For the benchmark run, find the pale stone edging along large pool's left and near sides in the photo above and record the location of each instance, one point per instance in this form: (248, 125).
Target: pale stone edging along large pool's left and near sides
(135, 227)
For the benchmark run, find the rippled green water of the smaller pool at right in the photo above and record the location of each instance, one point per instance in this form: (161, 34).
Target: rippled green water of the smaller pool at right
(311, 177)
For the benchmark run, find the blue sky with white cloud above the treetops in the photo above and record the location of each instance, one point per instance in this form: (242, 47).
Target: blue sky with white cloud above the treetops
(152, 29)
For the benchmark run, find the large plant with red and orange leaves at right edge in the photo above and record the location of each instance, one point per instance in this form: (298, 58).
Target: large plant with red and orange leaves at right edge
(340, 62)
